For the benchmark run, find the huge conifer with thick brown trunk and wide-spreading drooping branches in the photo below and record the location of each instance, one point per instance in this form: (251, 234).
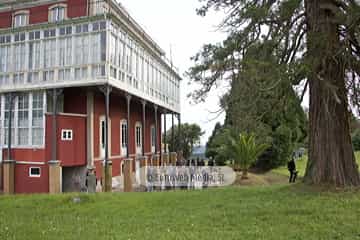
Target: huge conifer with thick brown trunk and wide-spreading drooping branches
(315, 42)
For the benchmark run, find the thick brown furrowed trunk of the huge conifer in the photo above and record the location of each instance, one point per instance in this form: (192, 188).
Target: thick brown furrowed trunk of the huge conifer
(331, 156)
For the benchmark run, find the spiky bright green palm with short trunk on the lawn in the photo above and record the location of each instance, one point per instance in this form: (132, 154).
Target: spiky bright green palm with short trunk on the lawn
(243, 150)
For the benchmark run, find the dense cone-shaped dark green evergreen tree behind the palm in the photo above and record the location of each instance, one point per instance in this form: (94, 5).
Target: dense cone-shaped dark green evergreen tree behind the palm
(275, 117)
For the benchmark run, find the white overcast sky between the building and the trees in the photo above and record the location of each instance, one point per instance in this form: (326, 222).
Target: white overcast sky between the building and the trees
(175, 23)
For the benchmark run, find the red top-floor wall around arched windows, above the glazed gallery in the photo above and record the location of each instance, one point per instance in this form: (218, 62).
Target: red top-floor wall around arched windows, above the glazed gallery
(40, 14)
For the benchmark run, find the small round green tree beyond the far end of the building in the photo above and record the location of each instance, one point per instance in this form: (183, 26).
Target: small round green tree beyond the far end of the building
(185, 141)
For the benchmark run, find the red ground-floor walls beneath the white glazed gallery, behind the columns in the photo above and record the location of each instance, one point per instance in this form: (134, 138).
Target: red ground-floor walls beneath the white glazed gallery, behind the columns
(74, 153)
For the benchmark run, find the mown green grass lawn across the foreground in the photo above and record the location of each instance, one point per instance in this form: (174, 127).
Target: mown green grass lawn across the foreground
(275, 212)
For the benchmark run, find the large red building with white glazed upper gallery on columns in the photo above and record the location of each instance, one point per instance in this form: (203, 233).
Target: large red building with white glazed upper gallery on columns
(81, 84)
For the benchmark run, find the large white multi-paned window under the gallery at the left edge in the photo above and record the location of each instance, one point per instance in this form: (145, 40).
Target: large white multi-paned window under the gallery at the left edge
(27, 119)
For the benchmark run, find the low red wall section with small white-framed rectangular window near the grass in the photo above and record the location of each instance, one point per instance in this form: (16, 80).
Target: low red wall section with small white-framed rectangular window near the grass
(26, 184)
